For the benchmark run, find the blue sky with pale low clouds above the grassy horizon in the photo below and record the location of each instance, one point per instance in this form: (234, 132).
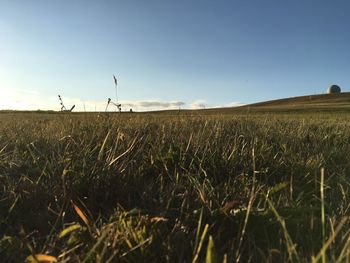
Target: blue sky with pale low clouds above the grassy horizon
(167, 54)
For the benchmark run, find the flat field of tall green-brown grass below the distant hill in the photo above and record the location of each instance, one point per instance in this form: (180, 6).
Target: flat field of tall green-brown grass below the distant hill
(210, 186)
